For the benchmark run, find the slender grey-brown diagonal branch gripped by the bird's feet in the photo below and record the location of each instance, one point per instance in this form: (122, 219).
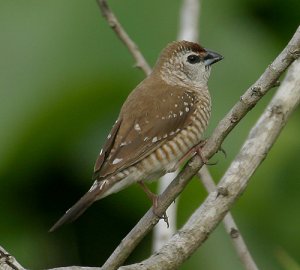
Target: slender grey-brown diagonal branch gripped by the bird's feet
(239, 110)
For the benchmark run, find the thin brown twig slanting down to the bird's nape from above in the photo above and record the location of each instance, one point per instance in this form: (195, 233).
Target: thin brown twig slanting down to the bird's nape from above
(123, 36)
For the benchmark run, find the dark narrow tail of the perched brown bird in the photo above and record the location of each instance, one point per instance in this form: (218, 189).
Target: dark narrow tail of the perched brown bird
(78, 208)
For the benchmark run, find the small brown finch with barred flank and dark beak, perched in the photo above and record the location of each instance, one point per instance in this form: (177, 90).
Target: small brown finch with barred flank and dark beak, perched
(159, 125)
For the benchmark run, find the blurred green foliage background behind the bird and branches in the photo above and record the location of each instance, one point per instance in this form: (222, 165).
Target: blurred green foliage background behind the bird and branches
(63, 78)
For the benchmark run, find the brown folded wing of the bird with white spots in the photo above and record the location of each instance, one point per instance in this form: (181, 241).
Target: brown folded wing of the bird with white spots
(147, 120)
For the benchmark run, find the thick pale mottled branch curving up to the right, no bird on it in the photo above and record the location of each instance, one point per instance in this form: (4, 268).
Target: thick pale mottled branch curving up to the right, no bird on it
(253, 152)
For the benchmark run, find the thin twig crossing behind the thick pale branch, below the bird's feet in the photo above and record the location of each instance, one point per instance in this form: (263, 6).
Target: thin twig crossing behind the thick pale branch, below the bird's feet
(230, 225)
